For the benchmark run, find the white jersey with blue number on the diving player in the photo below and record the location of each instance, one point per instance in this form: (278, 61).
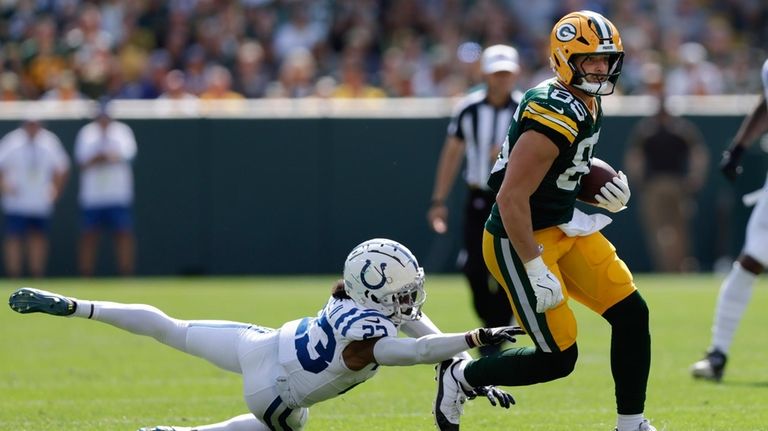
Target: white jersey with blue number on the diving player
(310, 351)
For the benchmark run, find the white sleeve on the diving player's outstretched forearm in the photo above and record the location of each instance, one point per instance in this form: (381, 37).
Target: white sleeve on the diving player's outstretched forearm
(429, 349)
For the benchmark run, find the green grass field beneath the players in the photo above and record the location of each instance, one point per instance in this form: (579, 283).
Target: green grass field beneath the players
(73, 374)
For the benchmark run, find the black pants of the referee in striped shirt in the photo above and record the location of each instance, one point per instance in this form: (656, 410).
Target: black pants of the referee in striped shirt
(490, 300)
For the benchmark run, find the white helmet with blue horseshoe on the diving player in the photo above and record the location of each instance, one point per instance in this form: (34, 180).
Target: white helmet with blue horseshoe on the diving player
(384, 275)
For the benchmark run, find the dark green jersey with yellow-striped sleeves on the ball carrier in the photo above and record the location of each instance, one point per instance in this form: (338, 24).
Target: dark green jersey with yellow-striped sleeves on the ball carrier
(551, 109)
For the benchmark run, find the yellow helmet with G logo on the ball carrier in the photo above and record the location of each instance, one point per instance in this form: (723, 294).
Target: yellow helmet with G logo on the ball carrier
(585, 33)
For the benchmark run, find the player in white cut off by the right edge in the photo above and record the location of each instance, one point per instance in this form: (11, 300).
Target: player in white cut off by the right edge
(737, 287)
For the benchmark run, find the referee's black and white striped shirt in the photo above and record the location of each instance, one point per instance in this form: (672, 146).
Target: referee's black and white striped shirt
(483, 129)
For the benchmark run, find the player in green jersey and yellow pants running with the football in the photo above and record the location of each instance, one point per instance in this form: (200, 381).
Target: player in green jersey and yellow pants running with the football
(542, 250)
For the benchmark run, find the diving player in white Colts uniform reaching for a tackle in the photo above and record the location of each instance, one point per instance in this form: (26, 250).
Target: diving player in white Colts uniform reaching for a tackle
(309, 360)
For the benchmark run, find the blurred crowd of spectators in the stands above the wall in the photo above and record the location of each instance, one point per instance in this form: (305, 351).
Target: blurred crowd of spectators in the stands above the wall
(145, 49)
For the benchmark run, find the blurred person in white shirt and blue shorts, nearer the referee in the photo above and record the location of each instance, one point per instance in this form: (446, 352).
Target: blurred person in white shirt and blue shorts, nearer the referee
(104, 149)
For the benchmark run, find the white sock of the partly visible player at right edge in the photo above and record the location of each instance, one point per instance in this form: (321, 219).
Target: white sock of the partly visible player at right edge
(731, 303)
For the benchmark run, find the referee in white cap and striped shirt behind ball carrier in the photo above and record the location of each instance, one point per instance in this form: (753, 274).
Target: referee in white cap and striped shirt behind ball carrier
(477, 129)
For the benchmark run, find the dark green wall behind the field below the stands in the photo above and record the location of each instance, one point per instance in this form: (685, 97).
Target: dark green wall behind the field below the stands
(271, 196)
